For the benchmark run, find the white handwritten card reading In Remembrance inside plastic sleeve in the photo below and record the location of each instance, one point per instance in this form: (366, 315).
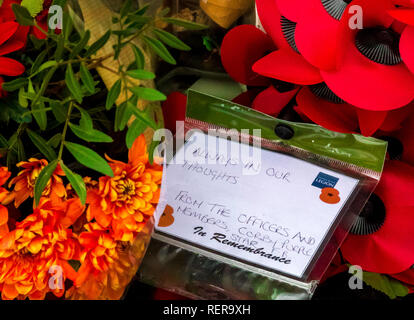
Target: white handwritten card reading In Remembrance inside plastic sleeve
(273, 211)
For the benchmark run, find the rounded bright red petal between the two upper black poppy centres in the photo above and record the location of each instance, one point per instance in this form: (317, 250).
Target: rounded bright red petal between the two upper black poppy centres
(318, 42)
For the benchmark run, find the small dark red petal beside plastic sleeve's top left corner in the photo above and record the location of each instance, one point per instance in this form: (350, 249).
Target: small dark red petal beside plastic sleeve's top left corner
(174, 110)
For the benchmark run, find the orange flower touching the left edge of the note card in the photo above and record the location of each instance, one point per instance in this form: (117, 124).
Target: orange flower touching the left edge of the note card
(125, 201)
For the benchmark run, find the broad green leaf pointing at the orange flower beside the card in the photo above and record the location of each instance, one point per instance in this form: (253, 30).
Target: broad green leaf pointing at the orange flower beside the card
(89, 158)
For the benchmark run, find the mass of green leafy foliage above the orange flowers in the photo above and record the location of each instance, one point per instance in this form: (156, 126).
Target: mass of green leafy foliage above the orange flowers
(54, 92)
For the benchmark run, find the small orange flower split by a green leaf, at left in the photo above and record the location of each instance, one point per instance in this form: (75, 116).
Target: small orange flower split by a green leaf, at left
(26, 179)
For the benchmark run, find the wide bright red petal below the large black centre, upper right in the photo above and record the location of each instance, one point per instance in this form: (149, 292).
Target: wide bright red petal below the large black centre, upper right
(369, 85)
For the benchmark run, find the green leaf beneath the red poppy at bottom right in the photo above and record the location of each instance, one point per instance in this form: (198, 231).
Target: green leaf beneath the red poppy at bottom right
(391, 287)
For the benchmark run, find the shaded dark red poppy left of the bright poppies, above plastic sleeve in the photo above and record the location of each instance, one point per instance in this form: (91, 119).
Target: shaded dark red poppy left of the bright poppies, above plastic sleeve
(241, 48)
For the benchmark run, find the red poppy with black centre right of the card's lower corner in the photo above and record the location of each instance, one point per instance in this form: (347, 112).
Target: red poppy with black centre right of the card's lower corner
(386, 224)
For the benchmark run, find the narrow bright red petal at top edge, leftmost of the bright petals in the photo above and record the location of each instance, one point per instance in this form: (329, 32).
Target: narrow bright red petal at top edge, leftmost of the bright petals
(270, 18)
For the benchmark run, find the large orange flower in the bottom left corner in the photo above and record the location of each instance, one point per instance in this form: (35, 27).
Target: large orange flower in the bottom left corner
(33, 257)
